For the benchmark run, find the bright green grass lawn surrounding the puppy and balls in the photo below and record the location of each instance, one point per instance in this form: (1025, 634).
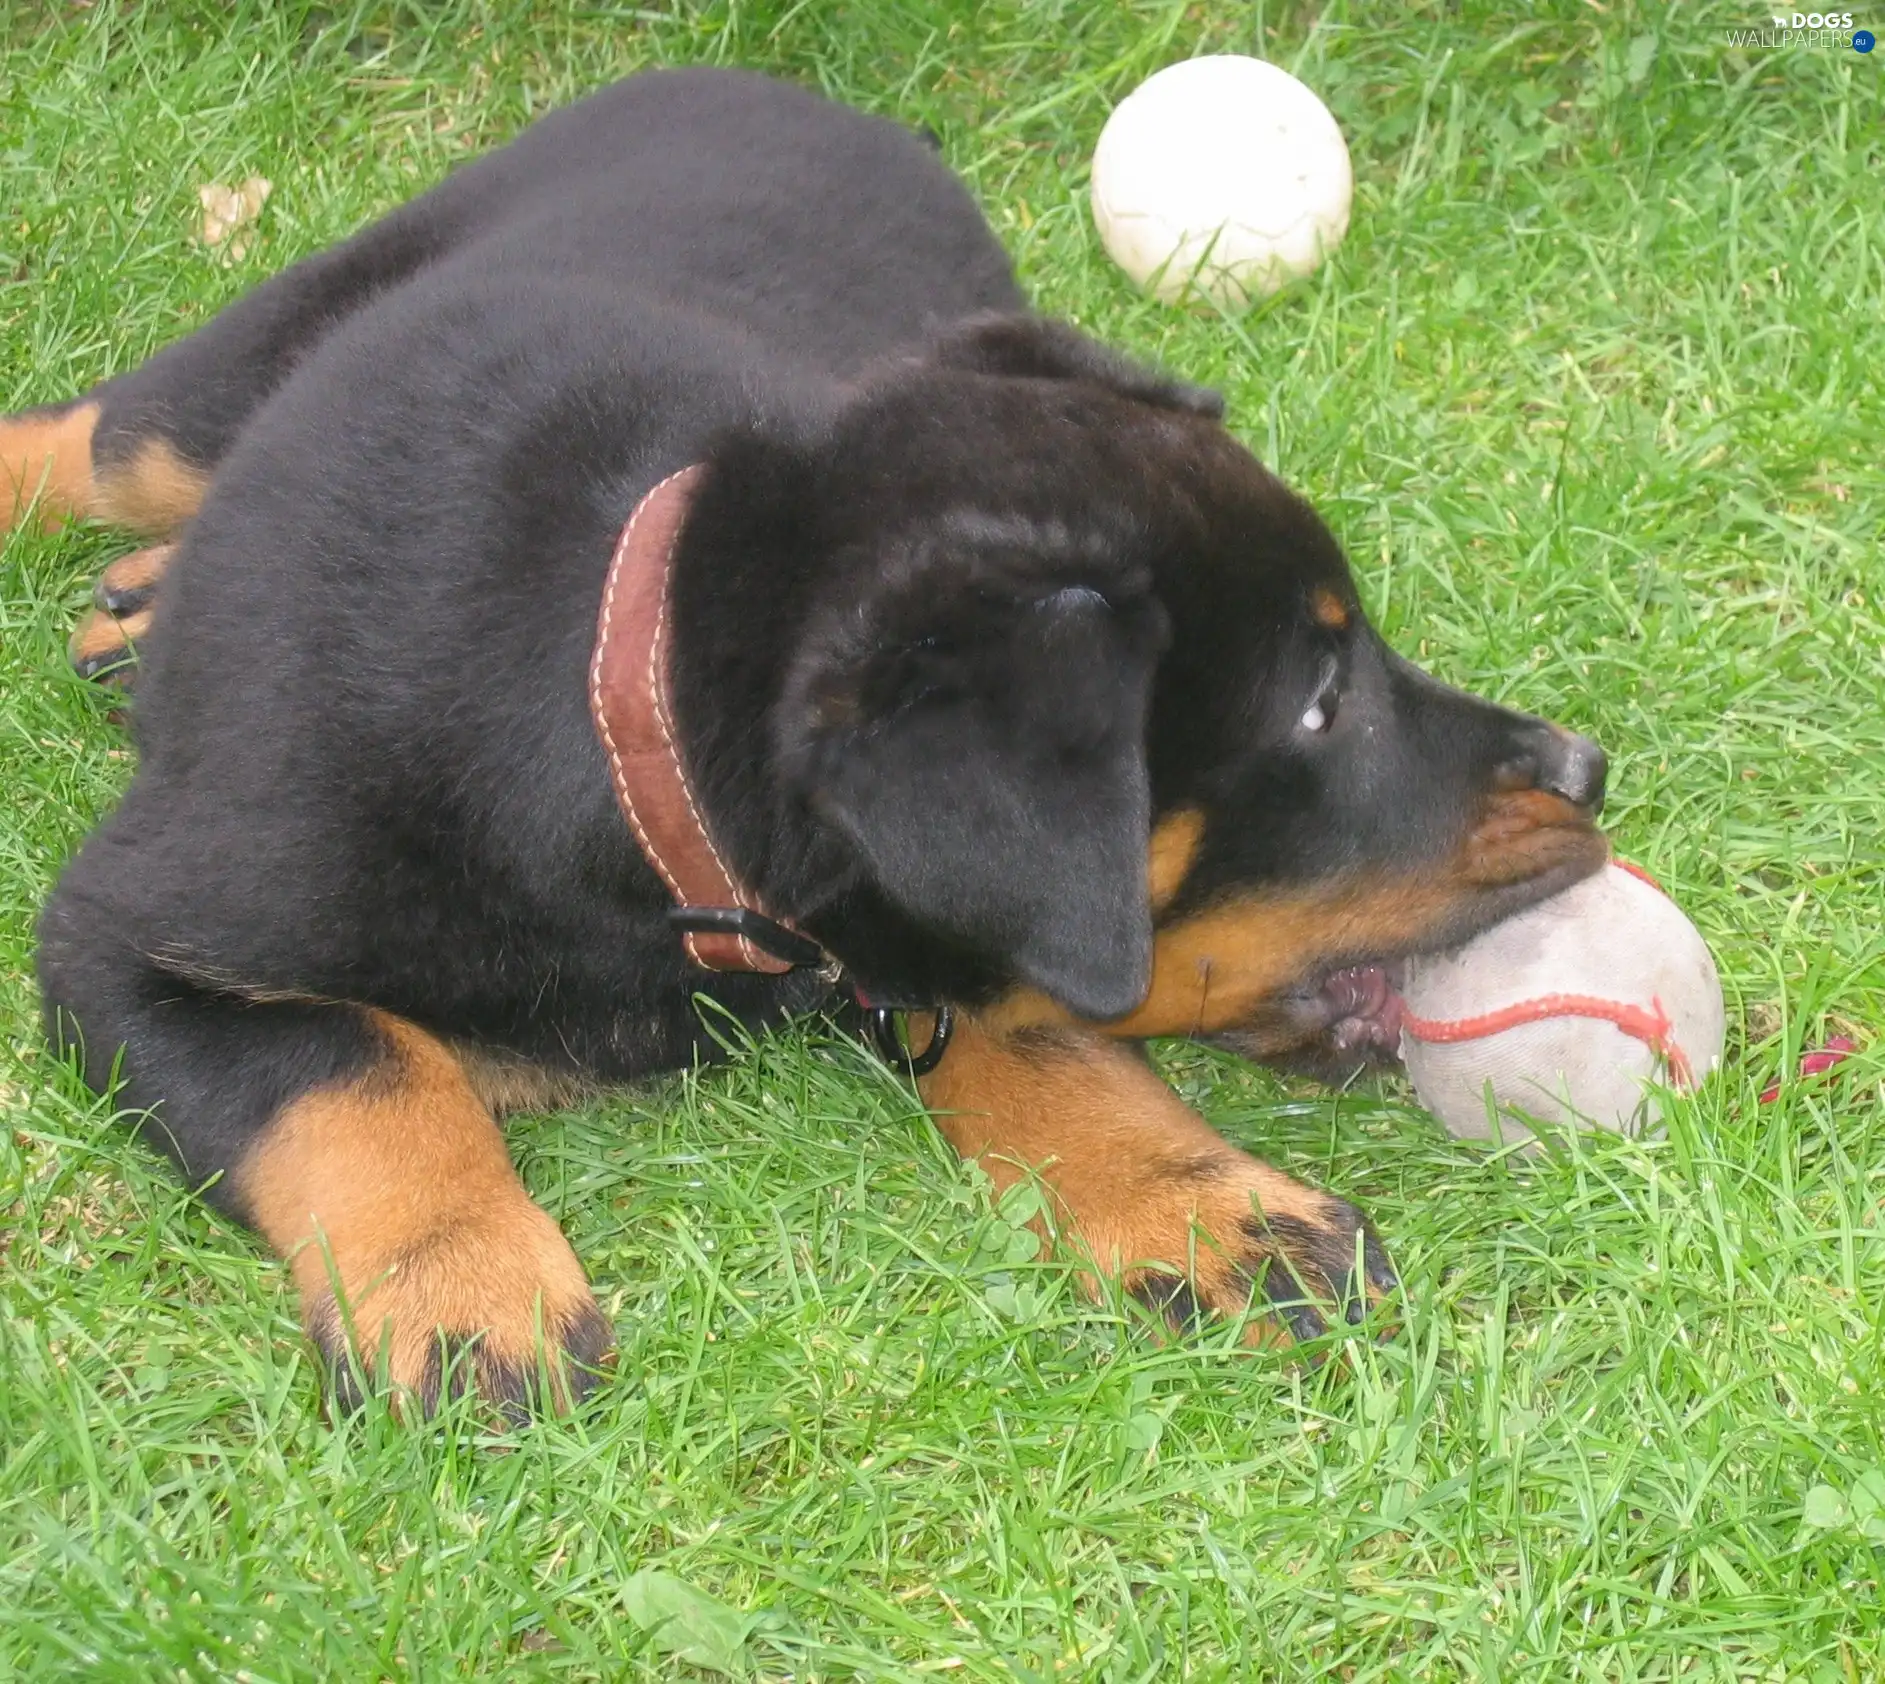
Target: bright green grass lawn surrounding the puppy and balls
(1594, 395)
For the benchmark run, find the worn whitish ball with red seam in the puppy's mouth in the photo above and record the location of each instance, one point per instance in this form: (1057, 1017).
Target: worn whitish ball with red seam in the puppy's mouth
(1567, 1014)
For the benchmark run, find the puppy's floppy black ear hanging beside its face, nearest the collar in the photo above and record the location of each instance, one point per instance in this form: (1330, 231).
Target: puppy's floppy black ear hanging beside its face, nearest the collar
(979, 735)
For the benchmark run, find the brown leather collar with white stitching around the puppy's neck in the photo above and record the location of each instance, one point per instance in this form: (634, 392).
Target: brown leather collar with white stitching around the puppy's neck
(636, 723)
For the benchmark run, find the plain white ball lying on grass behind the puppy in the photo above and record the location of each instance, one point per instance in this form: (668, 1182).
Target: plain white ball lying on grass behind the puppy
(1224, 176)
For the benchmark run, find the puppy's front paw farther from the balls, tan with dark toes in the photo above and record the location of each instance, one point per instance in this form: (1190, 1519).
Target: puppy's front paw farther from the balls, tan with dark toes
(495, 1302)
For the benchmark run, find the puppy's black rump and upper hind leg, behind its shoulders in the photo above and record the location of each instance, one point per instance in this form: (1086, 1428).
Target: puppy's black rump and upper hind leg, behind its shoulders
(800, 225)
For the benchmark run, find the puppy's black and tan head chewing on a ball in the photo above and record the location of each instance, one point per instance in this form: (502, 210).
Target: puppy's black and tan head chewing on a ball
(1087, 712)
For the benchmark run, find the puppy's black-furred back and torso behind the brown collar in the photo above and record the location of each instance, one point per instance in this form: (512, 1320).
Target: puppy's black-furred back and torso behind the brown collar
(438, 484)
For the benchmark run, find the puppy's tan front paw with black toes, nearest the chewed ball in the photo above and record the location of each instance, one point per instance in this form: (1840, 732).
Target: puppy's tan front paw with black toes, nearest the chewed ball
(1254, 1240)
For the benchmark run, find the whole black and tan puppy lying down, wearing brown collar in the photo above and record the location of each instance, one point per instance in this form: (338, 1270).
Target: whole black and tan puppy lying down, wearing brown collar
(987, 670)
